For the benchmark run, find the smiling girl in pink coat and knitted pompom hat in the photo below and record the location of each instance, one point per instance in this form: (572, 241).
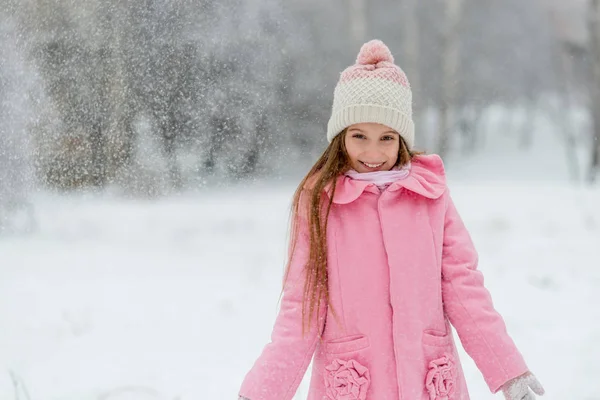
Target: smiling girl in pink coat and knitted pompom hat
(380, 265)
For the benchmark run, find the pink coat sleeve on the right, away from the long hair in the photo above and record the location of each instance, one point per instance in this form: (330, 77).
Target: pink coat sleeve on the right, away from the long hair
(468, 305)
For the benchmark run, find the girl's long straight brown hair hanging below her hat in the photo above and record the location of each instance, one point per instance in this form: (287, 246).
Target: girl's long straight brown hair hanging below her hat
(333, 162)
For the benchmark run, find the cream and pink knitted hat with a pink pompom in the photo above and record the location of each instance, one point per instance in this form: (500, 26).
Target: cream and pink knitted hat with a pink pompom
(373, 90)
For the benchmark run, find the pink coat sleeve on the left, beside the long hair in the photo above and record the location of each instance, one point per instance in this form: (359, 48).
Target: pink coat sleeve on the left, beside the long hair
(279, 369)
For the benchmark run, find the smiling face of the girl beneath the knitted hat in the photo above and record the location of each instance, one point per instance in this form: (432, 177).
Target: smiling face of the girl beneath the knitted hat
(372, 147)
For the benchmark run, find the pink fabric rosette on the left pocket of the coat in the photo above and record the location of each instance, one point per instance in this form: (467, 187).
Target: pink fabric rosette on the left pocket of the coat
(346, 380)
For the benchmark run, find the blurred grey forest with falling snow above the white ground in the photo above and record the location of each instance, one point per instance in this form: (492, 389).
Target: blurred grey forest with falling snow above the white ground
(153, 96)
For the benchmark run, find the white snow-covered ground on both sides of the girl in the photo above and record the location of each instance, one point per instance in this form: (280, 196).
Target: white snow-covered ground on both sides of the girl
(174, 299)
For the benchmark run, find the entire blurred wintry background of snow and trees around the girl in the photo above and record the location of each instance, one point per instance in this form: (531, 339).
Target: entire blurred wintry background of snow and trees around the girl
(149, 150)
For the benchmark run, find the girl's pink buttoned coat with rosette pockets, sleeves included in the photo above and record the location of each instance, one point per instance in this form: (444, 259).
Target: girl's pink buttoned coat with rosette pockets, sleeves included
(401, 268)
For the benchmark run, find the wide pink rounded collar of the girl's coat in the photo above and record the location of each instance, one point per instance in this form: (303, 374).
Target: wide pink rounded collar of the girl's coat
(426, 178)
